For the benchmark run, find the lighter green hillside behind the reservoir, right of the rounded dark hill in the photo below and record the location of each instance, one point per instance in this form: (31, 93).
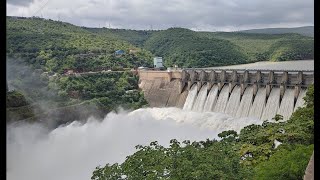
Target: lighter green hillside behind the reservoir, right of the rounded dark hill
(262, 47)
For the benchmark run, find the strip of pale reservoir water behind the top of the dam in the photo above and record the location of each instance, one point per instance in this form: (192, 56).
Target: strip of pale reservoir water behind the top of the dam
(299, 65)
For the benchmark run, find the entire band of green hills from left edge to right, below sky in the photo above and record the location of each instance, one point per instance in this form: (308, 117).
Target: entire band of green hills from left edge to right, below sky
(54, 46)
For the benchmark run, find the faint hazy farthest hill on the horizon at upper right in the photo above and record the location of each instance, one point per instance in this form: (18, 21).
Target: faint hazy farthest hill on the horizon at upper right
(305, 30)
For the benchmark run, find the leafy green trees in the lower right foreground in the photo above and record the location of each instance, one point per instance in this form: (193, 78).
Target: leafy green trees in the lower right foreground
(251, 154)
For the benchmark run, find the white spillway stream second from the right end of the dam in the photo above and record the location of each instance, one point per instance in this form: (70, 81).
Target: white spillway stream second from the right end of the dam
(287, 104)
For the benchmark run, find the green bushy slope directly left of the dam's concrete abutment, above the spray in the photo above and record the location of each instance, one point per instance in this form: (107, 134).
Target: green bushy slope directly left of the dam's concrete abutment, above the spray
(108, 90)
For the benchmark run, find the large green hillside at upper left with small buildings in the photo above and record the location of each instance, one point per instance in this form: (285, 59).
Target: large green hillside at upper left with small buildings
(53, 46)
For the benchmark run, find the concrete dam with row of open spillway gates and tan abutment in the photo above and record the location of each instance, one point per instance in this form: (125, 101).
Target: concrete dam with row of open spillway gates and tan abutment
(237, 92)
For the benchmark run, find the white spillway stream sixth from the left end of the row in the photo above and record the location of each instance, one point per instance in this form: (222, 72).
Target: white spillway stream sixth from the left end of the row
(246, 103)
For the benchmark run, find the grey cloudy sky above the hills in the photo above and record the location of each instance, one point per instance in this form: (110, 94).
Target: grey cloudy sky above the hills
(209, 15)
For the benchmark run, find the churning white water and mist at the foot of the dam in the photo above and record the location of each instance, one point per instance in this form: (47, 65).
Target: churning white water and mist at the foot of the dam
(73, 151)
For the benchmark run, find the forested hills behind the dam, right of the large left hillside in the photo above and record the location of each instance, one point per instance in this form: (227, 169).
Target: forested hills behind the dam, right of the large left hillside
(201, 49)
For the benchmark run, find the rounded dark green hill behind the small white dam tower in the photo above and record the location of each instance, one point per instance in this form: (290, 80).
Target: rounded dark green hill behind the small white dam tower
(185, 48)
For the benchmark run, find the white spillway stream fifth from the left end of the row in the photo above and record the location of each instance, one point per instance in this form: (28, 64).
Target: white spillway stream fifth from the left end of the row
(234, 101)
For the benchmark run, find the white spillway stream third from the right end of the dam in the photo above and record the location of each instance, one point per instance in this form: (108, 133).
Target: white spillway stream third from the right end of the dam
(272, 104)
